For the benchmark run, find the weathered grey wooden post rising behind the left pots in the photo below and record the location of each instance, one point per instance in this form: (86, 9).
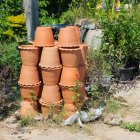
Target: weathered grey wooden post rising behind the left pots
(32, 18)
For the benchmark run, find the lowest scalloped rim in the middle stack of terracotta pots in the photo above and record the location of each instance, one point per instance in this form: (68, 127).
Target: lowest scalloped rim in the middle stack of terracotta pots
(43, 102)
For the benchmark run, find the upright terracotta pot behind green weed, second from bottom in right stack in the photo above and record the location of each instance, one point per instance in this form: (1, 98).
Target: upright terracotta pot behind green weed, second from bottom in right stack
(69, 96)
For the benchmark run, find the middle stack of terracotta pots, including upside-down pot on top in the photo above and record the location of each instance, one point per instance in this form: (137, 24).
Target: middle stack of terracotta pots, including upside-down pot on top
(51, 69)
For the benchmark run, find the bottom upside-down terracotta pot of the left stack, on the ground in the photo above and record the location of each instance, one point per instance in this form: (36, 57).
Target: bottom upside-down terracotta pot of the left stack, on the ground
(28, 109)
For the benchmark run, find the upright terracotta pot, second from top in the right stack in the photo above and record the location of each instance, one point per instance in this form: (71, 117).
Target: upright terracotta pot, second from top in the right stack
(70, 57)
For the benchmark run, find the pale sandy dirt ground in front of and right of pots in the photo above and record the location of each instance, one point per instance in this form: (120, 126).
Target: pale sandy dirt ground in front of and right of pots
(102, 129)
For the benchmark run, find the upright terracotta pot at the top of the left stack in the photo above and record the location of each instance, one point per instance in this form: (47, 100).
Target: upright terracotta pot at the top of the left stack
(29, 54)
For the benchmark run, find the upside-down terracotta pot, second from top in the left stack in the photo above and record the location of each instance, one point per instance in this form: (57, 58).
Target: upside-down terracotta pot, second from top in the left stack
(28, 75)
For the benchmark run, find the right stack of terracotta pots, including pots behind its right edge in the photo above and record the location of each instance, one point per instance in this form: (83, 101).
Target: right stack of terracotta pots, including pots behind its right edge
(73, 57)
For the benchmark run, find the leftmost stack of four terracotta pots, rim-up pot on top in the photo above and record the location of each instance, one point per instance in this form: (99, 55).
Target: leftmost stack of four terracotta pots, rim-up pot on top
(29, 80)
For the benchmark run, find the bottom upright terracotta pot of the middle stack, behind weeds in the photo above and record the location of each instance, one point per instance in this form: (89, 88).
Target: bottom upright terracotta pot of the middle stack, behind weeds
(50, 109)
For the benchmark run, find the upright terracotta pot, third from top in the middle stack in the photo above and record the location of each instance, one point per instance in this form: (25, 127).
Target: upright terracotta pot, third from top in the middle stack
(51, 75)
